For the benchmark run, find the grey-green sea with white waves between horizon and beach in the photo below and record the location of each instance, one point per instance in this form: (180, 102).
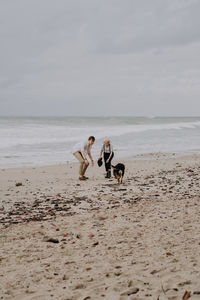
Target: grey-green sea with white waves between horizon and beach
(36, 141)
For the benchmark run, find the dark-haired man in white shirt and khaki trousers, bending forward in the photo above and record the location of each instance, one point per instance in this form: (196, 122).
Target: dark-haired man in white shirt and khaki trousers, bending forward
(80, 151)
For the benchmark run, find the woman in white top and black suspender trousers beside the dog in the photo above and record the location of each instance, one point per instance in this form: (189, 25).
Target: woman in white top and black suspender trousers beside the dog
(107, 151)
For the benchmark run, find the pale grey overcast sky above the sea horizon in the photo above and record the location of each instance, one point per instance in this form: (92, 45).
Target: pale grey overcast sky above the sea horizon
(99, 58)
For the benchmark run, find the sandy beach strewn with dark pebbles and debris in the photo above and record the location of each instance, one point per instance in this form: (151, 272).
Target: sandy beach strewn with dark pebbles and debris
(61, 238)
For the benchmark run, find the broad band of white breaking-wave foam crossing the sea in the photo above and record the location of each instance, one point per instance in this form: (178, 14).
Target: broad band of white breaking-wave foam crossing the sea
(48, 134)
